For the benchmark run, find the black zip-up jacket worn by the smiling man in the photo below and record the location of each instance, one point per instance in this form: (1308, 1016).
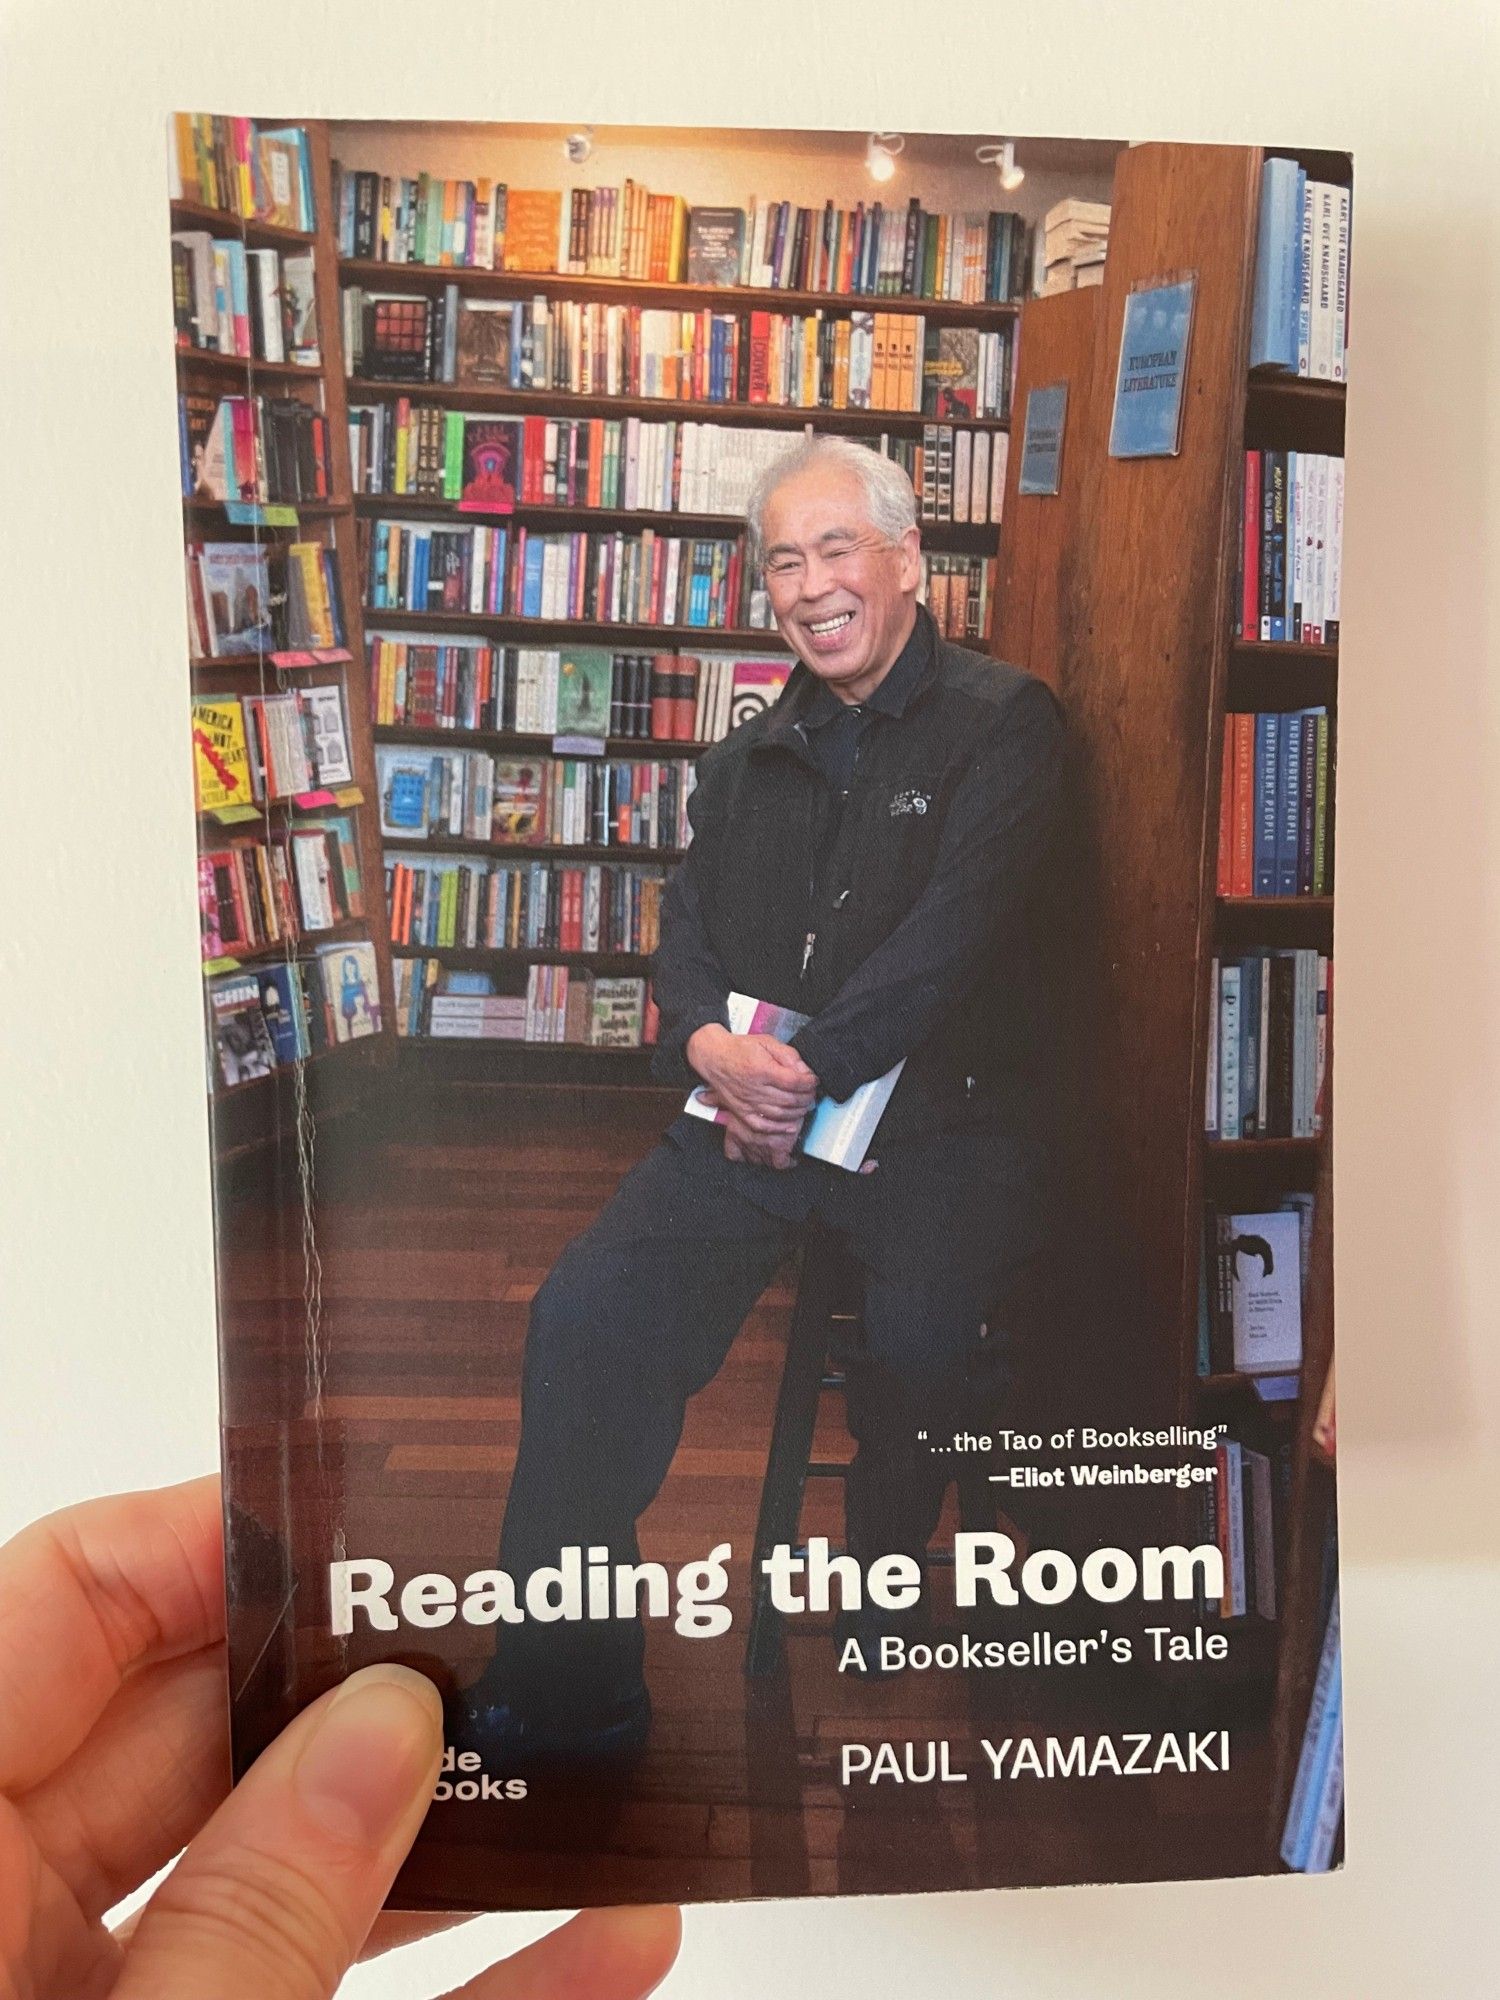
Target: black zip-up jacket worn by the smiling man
(899, 915)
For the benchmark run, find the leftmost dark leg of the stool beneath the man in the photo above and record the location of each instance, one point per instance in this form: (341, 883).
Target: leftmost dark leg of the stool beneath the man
(791, 1447)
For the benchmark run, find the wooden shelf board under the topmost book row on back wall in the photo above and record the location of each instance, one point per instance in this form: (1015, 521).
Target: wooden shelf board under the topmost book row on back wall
(377, 277)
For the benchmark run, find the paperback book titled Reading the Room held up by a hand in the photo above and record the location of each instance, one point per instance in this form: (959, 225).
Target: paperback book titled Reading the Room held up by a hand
(777, 969)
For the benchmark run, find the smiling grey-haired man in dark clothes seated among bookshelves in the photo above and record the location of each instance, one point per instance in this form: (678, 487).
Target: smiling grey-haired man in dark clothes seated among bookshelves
(865, 853)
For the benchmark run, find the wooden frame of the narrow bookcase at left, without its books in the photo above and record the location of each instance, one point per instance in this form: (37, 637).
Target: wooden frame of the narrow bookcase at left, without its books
(261, 1111)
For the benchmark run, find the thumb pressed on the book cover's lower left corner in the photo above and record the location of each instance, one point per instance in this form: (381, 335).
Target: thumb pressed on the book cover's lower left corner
(279, 1891)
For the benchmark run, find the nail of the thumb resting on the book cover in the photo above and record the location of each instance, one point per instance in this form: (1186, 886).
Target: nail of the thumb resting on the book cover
(369, 1753)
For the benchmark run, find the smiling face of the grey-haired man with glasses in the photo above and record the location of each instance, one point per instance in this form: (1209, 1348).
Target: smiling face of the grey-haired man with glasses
(845, 599)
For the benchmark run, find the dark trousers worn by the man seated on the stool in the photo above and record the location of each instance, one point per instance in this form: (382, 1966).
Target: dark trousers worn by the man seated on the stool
(639, 1315)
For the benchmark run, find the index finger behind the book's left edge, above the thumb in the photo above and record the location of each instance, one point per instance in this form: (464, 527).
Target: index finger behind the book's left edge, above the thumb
(87, 1597)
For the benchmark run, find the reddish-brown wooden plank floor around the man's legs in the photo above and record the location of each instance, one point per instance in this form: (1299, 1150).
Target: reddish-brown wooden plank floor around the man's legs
(373, 1369)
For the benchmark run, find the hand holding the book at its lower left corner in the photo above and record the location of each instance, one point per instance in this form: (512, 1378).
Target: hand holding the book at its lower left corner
(115, 1753)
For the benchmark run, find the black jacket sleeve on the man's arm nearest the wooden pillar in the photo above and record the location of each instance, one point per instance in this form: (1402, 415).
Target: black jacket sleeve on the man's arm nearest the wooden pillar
(997, 833)
